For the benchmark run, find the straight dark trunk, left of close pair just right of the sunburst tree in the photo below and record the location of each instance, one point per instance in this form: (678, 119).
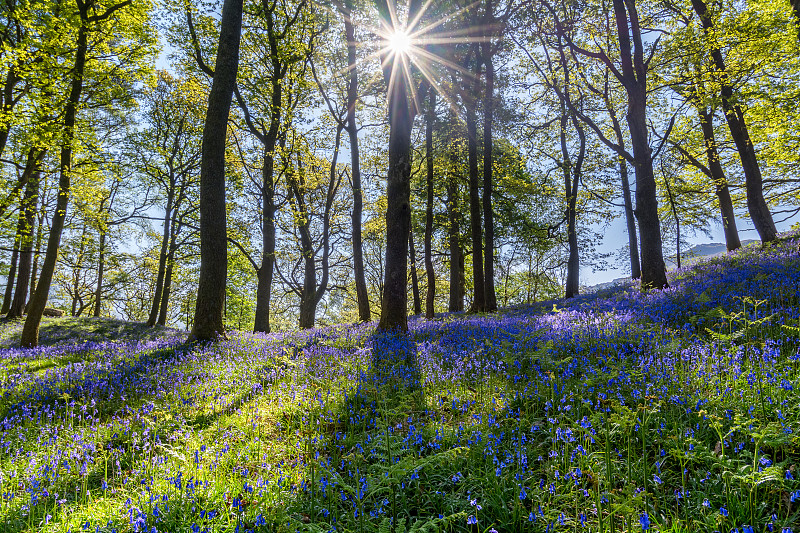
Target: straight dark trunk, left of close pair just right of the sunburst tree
(479, 291)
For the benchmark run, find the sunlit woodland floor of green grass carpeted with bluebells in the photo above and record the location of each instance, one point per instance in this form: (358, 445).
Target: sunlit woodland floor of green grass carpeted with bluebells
(669, 411)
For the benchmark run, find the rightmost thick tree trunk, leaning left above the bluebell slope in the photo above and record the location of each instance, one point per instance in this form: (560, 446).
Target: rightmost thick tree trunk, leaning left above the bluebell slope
(756, 205)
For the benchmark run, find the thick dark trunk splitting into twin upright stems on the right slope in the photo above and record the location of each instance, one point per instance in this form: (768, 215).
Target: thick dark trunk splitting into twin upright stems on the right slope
(634, 72)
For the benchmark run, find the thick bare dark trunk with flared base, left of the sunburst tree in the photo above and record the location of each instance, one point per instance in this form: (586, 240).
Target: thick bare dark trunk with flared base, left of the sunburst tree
(210, 304)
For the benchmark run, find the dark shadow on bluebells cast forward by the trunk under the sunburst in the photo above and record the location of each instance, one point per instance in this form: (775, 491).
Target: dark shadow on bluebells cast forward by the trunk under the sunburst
(357, 479)
